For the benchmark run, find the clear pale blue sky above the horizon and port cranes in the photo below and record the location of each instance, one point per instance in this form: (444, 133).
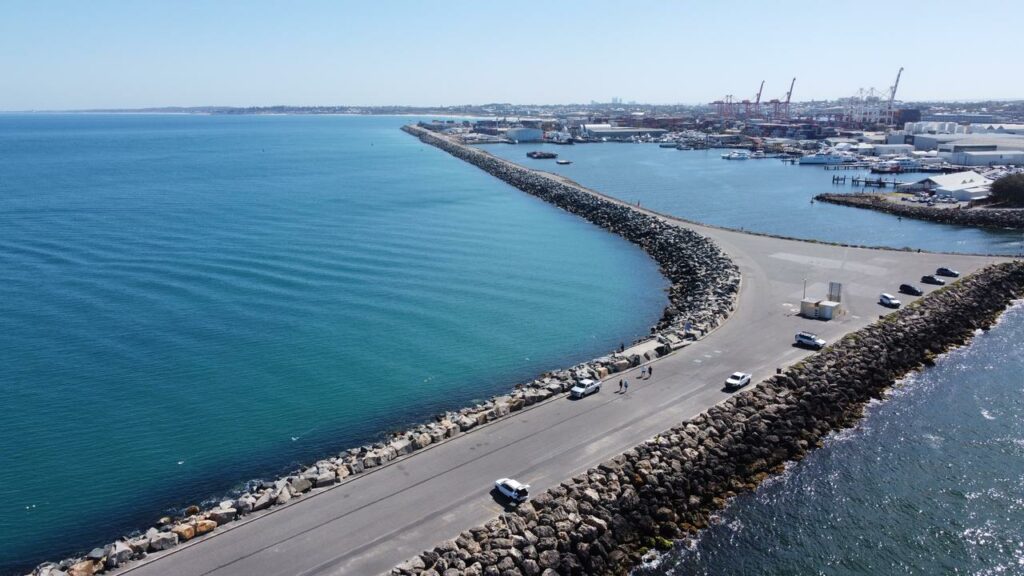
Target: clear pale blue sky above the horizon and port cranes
(59, 55)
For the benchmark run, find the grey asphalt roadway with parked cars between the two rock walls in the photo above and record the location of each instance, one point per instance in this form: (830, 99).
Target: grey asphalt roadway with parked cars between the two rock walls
(378, 520)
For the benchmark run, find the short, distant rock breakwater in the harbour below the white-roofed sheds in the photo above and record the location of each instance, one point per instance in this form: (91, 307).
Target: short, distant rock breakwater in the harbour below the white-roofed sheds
(984, 218)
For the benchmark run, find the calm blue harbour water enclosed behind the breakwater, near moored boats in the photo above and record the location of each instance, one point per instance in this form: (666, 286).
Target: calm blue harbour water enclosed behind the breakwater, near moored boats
(764, 196)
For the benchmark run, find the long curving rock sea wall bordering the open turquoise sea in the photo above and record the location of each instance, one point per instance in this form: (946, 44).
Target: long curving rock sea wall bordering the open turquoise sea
(705, 284)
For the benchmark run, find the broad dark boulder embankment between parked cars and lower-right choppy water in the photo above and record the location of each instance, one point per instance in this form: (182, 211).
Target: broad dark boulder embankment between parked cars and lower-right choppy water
(604, 521)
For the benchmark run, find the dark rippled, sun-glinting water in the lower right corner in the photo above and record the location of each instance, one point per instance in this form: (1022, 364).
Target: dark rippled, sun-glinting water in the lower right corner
(930, 483)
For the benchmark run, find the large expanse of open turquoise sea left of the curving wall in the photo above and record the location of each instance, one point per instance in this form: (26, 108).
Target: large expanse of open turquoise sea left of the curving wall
(189, 303)
